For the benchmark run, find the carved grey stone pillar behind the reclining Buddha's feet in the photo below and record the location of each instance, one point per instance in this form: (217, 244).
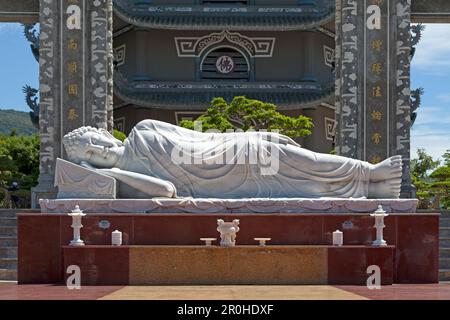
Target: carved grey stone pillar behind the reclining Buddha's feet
(373, 80)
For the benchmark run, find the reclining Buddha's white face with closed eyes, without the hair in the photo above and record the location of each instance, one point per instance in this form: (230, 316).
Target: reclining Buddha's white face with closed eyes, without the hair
(100, 150)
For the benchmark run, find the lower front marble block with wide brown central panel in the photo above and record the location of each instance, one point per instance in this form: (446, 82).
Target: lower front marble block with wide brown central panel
(241, 265)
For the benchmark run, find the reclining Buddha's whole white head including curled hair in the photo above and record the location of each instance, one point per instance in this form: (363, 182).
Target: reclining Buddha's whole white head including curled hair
(95, 146)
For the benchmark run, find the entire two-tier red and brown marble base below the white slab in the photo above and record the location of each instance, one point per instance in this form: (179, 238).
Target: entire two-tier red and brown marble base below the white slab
(174, 239)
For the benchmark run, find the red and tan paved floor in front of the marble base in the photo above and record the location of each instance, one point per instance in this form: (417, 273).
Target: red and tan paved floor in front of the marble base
(52, 292)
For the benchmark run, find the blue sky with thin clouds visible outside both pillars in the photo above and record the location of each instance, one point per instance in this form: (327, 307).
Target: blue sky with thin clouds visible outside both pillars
(430, 70)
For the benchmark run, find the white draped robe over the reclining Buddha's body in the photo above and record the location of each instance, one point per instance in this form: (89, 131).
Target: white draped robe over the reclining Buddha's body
(239, 165)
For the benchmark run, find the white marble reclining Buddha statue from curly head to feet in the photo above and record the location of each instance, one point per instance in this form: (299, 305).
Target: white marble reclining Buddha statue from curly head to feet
(163, 160)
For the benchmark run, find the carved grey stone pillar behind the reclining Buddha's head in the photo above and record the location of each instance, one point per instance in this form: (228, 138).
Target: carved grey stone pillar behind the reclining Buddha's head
(75, 77)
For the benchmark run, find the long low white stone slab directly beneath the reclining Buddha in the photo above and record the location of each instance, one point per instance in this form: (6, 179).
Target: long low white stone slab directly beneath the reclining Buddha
(199, 206)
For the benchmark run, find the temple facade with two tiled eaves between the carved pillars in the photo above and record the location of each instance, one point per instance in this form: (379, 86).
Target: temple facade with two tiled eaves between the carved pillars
(173, 57)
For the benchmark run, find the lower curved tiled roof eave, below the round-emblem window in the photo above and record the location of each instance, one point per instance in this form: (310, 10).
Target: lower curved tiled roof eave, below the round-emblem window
(196, 95)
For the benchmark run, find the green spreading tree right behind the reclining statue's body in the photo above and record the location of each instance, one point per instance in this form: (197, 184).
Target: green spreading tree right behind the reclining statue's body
(248, 114)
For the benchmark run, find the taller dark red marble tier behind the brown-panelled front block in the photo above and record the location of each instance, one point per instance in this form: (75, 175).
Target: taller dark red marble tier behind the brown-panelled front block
(415, 237)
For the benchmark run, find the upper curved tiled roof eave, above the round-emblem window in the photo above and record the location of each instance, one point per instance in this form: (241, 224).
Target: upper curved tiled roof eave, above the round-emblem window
(195, 17)
